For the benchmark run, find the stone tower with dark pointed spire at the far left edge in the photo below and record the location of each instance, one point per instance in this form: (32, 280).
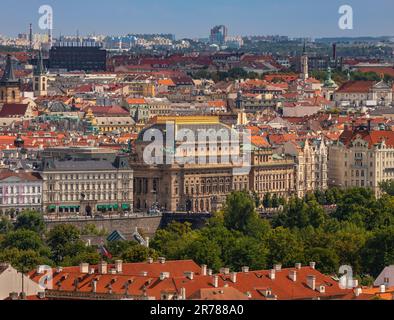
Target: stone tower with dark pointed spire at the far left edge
(10, 91)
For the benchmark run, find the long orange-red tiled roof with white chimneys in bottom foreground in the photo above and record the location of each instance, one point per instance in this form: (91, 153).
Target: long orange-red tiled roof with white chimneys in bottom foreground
(252, 285)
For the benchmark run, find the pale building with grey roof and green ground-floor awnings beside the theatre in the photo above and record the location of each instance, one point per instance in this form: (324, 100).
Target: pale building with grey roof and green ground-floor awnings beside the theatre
(86, 182)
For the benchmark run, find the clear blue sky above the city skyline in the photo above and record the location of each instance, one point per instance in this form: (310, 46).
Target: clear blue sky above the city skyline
(194, 18)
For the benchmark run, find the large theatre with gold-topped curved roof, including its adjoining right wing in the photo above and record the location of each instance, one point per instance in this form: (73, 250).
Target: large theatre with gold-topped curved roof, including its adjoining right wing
(204, 187)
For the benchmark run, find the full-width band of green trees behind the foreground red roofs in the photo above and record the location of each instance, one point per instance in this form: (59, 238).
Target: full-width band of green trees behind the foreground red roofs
(358, 231)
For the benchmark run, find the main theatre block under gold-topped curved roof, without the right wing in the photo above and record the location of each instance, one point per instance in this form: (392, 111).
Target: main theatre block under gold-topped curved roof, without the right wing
(201, 186)
